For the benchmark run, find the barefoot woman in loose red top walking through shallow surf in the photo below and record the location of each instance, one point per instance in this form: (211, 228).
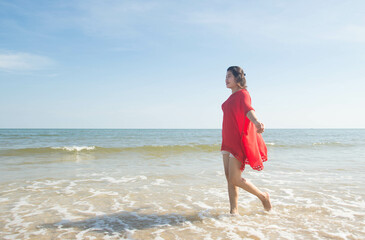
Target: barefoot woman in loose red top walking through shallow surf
(242, 142)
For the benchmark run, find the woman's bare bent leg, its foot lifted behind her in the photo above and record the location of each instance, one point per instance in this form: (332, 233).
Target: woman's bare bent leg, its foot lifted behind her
(234, 177)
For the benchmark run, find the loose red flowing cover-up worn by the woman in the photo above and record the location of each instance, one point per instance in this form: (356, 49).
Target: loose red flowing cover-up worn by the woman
(239, 134)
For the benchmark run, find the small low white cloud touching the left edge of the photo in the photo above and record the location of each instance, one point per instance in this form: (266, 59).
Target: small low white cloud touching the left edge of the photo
(23, 62)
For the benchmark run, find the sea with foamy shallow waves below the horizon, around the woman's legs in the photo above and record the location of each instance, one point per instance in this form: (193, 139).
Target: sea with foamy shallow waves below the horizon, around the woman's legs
(170, 184)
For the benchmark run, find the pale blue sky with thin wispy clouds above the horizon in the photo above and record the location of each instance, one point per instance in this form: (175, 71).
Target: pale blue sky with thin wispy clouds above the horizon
(162, 64)
